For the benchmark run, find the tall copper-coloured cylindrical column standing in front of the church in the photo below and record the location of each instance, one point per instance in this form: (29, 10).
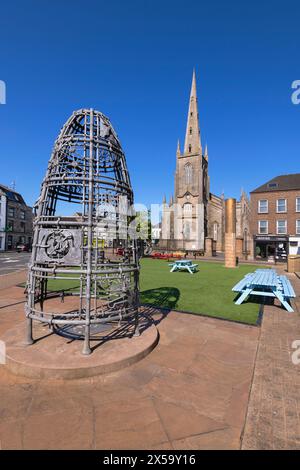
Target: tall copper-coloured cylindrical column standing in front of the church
(230, 233)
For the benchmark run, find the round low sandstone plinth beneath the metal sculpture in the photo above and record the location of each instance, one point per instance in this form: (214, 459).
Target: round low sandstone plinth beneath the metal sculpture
(55, 357)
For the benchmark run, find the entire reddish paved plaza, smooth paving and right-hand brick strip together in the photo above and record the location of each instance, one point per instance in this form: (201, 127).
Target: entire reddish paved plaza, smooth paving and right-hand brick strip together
(209, 384)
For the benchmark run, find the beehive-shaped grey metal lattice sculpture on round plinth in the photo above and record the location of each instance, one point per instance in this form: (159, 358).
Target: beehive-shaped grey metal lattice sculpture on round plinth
(86, 252)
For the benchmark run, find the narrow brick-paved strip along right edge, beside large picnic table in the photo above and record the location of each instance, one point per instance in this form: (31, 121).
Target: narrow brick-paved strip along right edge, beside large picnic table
(273, 418)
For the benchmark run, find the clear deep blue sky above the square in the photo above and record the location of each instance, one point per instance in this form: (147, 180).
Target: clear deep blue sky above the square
(133, 61)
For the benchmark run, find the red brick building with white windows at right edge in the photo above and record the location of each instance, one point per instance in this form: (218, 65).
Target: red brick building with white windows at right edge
(275, 218)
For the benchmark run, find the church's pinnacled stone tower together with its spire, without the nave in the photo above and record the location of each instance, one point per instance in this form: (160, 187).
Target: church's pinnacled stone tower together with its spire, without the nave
(184, 219)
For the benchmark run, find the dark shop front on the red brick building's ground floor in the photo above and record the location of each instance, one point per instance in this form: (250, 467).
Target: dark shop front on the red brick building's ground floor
(271, 248)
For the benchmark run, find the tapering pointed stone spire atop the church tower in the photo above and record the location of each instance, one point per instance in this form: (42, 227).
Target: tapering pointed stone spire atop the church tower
(192, 142)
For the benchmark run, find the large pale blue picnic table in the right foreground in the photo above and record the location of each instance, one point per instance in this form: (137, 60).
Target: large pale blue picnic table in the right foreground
(266, 283)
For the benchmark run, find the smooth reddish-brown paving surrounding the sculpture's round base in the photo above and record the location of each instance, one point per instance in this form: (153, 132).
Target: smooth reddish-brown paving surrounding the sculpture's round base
(191, 392)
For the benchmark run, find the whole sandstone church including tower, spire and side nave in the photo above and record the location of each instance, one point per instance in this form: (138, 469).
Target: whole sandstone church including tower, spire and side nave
(194, 218)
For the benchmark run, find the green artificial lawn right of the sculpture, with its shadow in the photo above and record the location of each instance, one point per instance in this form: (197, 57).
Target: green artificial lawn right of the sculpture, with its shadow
(206, 292)
